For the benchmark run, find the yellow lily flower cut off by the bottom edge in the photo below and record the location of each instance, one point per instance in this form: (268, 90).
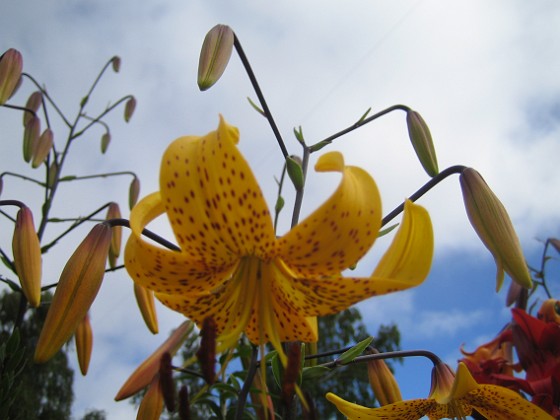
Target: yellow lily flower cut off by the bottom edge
(453, 398)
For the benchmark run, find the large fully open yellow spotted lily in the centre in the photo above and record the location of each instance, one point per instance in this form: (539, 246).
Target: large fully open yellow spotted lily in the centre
(233, 268)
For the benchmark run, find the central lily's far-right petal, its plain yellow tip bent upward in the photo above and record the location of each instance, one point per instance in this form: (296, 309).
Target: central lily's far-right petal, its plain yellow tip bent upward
(405, 264)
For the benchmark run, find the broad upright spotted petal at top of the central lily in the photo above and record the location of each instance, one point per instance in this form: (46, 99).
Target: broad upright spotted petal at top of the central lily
(215, 206)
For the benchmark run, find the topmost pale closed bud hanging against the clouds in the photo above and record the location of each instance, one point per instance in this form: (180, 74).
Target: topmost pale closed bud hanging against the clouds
(214, 55)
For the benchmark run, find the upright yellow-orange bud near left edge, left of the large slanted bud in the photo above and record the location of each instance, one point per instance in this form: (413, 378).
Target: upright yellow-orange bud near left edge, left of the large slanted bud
(27, 256)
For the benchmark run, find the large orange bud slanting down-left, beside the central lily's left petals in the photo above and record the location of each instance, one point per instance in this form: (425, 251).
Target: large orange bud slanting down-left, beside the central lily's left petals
(77, 288)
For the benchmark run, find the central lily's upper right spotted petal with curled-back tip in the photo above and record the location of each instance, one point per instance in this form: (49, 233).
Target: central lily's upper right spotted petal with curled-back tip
(341, 231)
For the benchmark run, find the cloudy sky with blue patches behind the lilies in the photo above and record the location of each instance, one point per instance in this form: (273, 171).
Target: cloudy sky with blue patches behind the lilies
(484, 75)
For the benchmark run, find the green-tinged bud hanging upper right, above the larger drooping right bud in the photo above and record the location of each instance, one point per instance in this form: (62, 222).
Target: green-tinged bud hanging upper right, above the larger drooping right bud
(421, 139)
